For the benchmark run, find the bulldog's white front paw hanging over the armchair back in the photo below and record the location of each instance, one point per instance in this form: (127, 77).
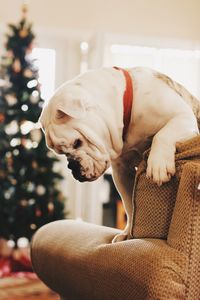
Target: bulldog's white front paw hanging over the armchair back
(161, 165)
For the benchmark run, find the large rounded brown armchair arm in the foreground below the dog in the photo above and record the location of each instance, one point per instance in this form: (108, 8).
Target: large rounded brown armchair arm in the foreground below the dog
(79, 261)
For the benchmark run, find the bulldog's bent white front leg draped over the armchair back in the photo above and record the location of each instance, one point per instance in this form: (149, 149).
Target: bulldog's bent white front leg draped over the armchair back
(161, 161)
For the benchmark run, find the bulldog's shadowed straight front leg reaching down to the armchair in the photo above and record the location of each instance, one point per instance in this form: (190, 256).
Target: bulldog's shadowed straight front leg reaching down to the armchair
(123, 176)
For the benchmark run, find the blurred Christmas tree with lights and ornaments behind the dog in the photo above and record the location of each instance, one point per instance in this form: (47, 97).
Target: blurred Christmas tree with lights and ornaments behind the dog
(29, 197)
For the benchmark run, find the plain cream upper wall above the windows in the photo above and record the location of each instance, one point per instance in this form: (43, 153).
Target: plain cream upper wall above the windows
(170, 18)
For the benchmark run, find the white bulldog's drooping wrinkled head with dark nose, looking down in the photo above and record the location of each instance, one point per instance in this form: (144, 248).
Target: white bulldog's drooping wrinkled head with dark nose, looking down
(73, 127)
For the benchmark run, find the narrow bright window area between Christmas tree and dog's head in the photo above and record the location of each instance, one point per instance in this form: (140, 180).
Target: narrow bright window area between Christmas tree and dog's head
(45, 61)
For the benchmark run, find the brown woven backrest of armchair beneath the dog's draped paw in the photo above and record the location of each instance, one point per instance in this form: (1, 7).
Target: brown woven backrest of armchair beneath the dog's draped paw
(153, 205)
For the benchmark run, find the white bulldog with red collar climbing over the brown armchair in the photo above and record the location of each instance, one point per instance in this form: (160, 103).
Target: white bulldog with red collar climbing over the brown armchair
(84, 121)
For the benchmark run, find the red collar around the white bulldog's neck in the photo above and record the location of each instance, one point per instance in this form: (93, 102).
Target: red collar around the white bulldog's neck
(127, 100)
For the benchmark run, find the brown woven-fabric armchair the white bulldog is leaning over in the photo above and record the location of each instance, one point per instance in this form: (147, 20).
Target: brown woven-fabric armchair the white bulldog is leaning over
(161, 261)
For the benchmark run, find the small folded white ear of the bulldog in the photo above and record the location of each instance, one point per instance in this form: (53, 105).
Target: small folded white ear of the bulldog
(75, 108)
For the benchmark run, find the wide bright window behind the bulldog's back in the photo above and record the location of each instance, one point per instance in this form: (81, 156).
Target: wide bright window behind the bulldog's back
(181, 65)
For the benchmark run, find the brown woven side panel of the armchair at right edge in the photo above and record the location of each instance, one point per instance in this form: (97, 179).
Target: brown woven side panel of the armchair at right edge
(184, 230)
